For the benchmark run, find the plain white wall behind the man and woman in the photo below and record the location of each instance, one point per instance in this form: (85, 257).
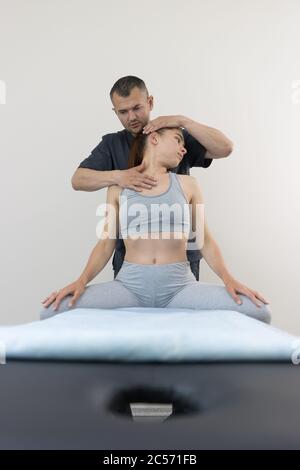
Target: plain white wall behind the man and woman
(230, 64)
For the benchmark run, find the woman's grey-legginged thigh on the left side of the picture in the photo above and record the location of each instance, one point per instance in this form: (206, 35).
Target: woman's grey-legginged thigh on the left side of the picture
(110, 294)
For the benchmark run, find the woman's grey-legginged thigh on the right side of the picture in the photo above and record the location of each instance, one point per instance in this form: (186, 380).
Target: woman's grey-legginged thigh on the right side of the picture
(207, 296)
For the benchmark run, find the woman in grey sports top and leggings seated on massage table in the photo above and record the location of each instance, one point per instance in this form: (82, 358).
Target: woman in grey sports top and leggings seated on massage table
(155, 271)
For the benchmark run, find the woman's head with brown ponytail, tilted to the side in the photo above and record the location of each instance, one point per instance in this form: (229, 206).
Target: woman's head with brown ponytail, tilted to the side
(163, 148)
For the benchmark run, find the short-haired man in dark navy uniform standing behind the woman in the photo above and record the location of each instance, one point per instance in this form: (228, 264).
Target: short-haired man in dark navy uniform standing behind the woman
(108, 163)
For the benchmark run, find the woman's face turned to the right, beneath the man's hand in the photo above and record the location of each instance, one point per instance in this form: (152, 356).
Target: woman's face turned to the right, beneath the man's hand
(170, 147)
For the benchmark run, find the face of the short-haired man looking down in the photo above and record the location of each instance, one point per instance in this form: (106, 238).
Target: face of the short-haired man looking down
(133, 110)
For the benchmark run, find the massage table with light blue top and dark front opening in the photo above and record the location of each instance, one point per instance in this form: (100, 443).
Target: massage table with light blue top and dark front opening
(146, 378)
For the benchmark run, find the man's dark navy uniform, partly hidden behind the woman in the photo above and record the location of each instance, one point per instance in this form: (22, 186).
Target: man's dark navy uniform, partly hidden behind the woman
(112, 154)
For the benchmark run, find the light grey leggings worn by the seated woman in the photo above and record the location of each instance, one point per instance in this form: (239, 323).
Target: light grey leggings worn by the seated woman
(169, 285)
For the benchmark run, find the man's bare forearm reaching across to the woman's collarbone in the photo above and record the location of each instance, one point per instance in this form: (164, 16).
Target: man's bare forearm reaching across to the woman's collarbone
(85, 179)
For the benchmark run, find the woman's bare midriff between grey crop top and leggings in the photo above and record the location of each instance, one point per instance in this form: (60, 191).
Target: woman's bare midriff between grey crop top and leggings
(156, 251)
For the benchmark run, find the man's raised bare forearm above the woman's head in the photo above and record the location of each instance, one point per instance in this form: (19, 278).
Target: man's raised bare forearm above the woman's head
(216, 143)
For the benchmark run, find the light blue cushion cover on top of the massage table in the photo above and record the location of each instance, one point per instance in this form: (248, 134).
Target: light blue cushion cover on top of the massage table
(148, 334)
